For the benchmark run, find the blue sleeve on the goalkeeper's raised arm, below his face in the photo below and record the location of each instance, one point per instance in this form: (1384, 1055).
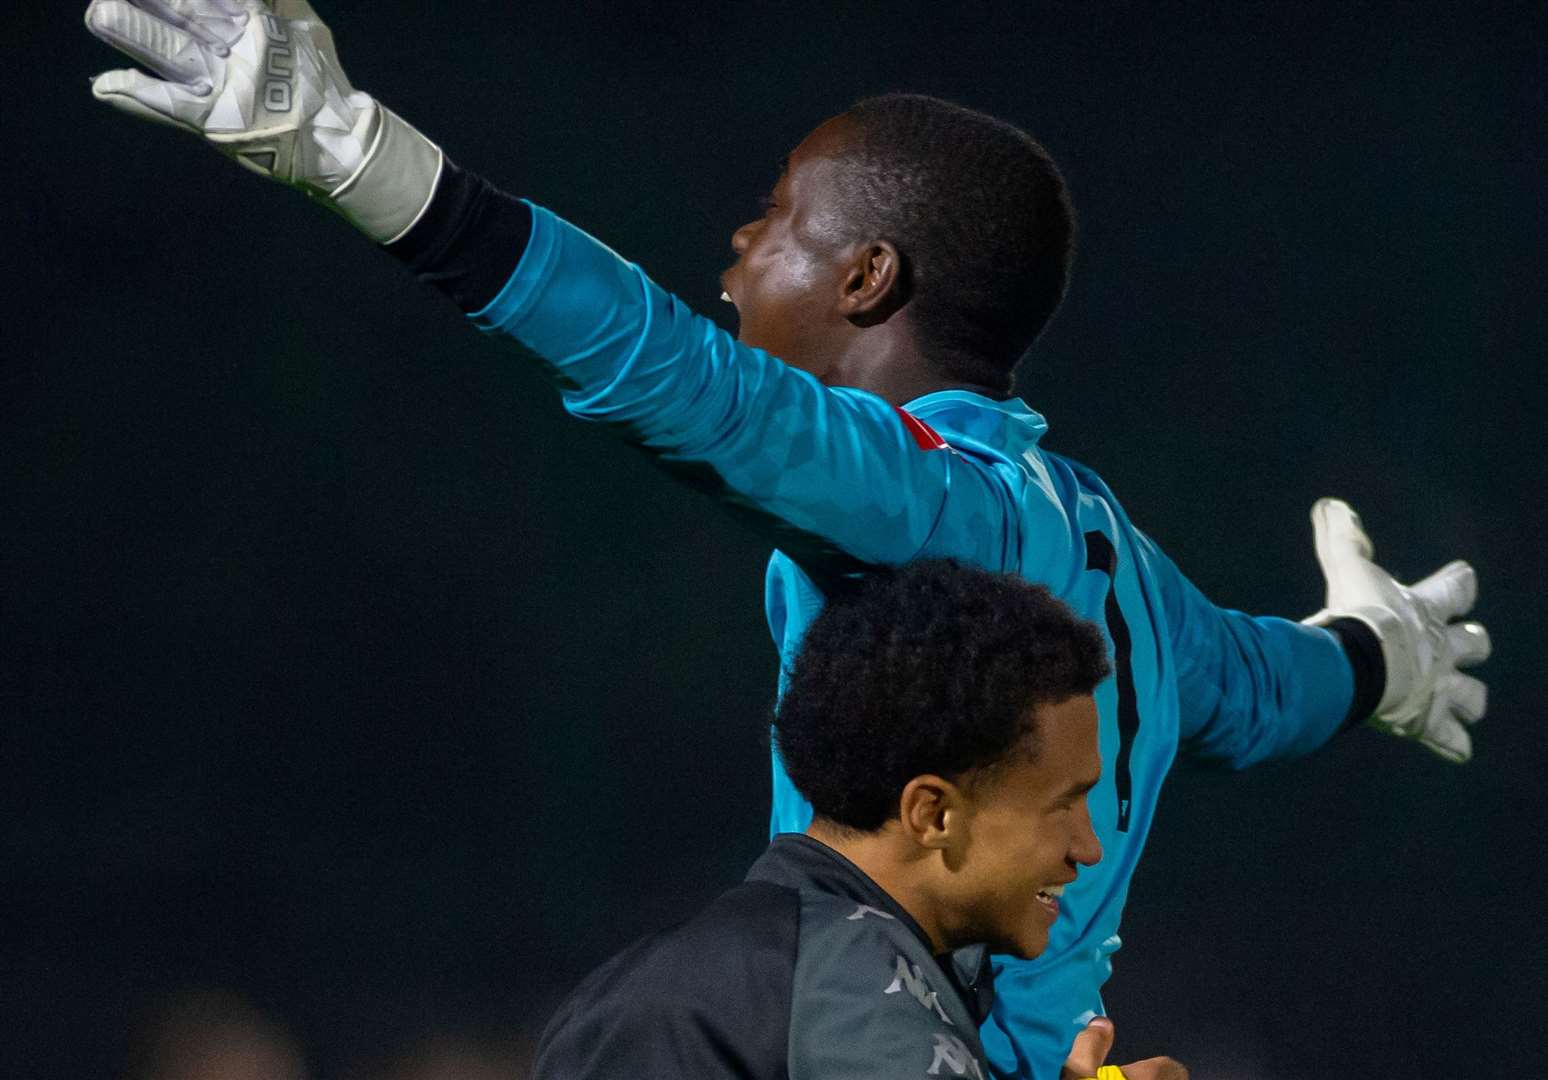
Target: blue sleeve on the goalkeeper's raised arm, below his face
(832, 463)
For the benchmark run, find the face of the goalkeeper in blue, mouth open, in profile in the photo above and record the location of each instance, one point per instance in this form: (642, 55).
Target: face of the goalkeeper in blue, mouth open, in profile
(793, 262)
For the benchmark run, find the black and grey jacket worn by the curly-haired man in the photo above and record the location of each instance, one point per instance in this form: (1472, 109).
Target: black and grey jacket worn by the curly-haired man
(807, 971)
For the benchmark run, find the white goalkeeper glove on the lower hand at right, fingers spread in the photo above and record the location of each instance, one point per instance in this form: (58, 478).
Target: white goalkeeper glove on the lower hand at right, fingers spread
(1426, 697)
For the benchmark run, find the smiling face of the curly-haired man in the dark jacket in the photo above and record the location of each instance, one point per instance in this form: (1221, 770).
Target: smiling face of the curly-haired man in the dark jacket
(1027, 832)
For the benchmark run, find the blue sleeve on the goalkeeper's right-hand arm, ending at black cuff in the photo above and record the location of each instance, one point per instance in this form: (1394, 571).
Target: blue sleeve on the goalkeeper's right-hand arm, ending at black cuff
(1250, 689)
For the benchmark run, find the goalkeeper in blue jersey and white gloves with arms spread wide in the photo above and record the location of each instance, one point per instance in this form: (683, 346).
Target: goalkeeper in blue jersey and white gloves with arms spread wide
(909, 256)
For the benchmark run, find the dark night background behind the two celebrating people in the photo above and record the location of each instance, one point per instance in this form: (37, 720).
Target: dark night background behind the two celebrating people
(343, 672)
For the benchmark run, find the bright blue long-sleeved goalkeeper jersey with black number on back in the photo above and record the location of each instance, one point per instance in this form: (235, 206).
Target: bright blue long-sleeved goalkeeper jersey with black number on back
(843, 479)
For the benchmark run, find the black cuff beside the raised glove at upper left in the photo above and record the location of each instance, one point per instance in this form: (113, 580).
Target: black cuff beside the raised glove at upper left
(470, 239)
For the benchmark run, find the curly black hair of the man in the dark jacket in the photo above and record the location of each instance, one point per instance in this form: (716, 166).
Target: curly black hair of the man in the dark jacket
(933, 668)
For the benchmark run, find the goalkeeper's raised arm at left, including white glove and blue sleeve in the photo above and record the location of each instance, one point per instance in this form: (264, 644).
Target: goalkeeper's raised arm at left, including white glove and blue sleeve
(835, 474)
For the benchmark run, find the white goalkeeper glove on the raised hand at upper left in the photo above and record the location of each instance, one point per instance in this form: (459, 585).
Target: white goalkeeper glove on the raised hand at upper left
(262, 83)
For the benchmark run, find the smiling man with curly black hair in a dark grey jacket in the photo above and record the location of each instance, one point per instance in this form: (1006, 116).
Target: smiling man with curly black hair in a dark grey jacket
(940, 720)
